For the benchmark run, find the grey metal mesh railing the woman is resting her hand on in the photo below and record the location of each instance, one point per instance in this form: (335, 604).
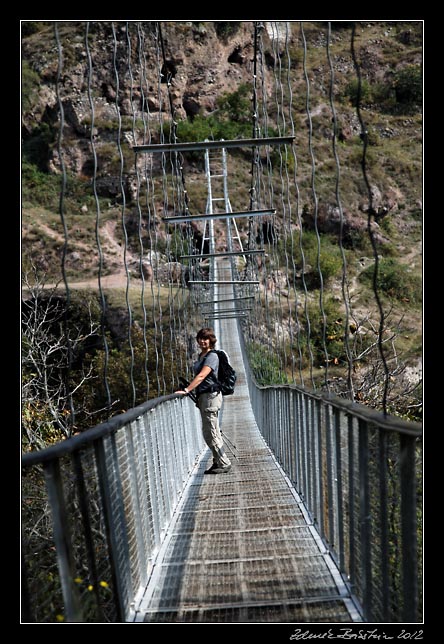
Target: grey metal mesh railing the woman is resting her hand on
(95, 511)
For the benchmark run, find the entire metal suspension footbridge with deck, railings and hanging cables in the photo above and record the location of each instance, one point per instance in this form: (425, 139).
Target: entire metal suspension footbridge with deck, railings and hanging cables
(320, 518)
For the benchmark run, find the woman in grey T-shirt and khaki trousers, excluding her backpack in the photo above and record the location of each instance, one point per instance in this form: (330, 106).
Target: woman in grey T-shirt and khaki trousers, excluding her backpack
(209, 399)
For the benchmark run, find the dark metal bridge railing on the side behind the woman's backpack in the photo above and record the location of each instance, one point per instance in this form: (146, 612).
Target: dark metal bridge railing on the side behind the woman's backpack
(359, 474)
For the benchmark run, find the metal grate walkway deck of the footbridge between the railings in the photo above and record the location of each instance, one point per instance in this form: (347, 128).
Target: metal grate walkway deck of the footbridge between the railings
(240, 548)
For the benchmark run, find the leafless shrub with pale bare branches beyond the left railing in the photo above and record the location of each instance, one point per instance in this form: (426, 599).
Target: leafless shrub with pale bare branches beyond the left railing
(45, 360)
